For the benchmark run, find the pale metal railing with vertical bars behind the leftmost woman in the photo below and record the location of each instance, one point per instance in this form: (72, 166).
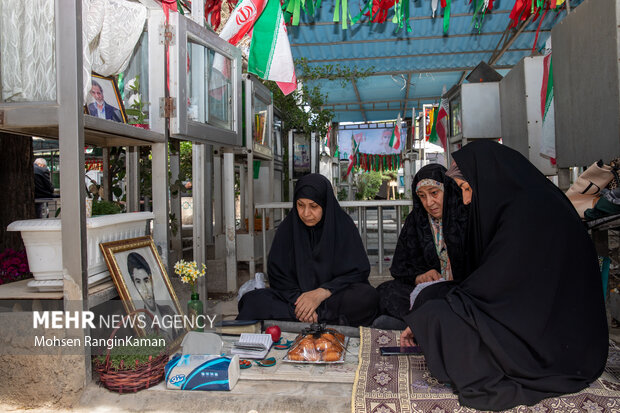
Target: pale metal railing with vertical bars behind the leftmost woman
(362, 222)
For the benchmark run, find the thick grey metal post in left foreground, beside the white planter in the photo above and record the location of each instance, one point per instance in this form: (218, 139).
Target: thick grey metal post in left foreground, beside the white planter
(70, 96)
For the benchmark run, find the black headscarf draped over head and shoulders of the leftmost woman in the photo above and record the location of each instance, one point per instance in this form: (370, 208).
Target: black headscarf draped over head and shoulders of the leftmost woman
(329, 255)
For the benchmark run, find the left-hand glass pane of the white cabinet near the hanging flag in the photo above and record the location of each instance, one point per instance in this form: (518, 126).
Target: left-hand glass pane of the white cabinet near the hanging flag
(197, 56)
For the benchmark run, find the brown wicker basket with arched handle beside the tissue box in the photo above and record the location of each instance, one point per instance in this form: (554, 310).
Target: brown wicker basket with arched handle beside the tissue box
(129, 379)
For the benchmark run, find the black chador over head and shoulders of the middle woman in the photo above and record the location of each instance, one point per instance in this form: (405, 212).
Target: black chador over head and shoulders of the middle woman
(415, 251)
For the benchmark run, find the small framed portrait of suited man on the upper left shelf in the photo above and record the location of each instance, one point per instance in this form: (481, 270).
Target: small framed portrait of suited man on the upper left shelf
(104, 101)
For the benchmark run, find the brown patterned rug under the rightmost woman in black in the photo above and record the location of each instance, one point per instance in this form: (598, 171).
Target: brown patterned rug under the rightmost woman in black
(403, 384)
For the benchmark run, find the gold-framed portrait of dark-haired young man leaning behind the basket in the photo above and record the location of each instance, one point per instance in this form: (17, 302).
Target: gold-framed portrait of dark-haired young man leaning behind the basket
(142, 283)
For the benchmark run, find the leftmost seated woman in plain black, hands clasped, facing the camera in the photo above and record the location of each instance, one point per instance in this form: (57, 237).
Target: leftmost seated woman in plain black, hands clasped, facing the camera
(317, 267)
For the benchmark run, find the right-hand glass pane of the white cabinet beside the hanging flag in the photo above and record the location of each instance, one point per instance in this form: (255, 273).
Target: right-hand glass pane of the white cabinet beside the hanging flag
(220, 91)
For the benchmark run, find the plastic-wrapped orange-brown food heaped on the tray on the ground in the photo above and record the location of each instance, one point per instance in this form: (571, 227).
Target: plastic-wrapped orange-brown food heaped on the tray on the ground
(318, 344)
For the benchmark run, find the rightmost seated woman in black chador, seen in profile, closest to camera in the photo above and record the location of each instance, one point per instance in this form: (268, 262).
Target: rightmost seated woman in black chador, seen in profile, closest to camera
(529, 321)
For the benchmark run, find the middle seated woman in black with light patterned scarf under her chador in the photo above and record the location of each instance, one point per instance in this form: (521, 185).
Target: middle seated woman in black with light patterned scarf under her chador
(430, 245)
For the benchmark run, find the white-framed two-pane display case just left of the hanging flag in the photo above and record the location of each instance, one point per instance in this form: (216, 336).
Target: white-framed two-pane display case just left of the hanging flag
(205, 84)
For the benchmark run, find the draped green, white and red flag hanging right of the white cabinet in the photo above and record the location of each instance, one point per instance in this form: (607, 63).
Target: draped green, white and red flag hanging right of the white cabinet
(270, 51)
